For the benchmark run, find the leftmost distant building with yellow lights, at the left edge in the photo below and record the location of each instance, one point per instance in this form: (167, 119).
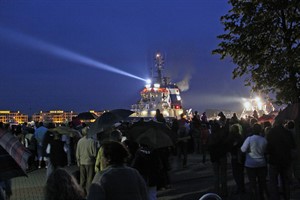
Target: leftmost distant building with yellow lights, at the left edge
(11, 117)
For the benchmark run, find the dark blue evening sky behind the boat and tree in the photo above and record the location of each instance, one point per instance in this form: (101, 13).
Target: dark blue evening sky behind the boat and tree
(124, 34)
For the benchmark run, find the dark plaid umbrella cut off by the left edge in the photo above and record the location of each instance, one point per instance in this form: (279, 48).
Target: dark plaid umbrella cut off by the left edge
(13, 156)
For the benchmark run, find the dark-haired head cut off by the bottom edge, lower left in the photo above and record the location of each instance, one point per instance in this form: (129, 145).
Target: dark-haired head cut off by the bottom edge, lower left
(61, 185)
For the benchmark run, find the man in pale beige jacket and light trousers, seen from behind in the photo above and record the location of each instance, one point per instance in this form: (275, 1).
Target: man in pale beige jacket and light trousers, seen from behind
(86, 153)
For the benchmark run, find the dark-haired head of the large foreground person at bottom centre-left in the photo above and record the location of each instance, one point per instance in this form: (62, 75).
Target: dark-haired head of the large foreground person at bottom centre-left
(113, 153)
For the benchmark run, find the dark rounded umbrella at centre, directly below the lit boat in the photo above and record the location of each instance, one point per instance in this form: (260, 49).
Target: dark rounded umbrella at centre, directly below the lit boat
(154, 134)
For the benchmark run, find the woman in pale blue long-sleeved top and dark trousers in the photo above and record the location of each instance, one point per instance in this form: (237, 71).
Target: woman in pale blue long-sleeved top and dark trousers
(256, 166)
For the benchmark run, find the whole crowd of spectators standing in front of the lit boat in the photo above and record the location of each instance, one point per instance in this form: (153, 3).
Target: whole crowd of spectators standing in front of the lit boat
(118, 168)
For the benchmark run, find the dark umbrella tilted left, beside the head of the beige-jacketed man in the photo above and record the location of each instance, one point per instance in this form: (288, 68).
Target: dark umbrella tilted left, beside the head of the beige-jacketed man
(107, 120)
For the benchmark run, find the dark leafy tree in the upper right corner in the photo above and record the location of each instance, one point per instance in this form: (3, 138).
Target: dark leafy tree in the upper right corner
(262, 38)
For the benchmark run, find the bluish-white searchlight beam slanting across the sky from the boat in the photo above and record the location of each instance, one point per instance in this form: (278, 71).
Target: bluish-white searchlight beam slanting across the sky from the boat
(34, 43)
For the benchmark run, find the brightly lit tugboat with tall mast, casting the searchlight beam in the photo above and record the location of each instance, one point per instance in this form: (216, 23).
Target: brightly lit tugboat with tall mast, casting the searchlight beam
(159, 93)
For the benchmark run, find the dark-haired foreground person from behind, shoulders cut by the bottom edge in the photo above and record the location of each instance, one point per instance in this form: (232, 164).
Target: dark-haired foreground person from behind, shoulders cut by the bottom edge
(115, 180)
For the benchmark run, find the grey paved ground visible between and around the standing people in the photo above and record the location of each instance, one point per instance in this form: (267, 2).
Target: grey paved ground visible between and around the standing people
(186, 184)
